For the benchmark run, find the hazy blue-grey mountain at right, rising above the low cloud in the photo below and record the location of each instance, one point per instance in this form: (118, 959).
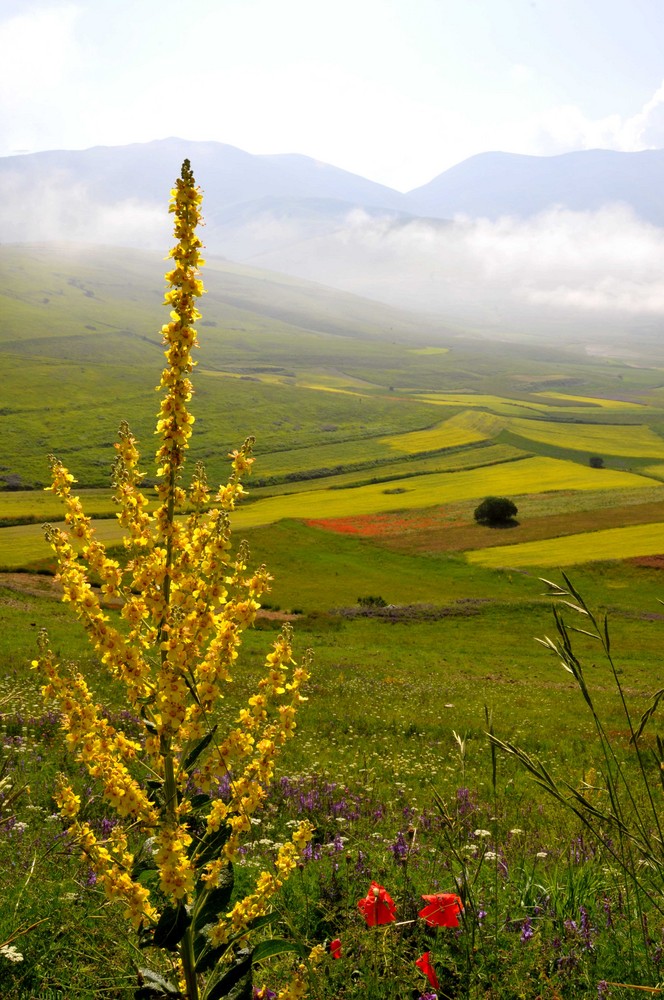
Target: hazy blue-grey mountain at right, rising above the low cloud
(494, 184)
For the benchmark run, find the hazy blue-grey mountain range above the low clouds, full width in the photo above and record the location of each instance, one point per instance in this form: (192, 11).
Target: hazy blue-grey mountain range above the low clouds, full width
(240, 183)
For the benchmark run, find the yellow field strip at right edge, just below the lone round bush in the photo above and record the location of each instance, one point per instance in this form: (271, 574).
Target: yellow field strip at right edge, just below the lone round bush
(590, 546)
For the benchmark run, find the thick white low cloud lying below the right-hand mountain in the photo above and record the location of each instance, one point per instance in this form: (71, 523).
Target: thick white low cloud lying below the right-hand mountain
(604, 263)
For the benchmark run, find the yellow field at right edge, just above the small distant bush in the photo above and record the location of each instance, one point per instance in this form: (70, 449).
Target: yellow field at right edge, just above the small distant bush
(637, 441)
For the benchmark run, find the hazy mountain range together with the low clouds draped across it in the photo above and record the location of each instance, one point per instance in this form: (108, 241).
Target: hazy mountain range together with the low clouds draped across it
(569, 243)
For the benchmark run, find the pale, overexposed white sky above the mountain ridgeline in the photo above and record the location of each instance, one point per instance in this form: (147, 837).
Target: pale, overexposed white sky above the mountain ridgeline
(394, 90)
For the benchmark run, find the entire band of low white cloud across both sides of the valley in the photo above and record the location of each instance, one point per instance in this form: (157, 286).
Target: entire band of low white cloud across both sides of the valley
(571, 271)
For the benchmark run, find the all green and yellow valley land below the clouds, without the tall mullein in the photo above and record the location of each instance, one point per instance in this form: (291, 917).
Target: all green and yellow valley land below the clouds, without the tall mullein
(373, 450)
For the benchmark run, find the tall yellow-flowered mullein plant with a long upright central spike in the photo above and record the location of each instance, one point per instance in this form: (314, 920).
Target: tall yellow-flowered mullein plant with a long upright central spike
(185, 599)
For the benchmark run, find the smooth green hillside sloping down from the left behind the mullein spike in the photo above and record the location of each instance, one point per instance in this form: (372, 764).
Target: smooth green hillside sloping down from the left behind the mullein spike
(293, 363)
